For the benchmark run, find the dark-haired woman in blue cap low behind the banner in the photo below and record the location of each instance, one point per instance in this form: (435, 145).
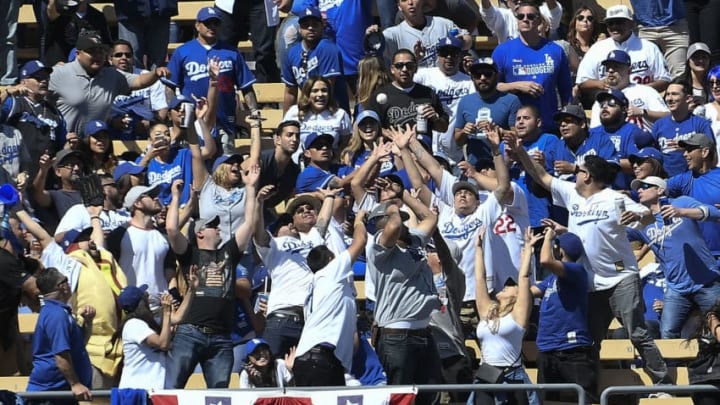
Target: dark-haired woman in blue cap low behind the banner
(263, 370)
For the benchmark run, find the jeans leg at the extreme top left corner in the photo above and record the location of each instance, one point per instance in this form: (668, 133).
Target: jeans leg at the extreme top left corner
(10, 11)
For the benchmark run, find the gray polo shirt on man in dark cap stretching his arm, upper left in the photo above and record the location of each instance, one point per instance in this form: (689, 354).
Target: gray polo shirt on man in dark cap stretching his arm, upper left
(84, 98)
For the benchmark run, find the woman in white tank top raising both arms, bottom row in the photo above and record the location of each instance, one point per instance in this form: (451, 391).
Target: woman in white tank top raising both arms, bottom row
(503, 320)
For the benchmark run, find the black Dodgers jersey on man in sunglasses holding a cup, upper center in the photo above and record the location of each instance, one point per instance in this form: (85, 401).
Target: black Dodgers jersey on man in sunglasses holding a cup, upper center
(401, 107)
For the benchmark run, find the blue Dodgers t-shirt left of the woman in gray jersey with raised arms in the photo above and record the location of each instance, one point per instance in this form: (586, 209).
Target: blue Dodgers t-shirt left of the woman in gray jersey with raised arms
(179, 167)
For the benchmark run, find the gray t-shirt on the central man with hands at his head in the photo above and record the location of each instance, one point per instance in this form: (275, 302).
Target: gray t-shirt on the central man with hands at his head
(404, 285)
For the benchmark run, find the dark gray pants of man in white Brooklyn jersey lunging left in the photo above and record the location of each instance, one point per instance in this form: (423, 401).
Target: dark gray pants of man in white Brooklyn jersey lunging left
(625, 301)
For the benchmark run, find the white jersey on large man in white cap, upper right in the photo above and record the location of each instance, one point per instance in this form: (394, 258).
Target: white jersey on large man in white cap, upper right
(648, 63)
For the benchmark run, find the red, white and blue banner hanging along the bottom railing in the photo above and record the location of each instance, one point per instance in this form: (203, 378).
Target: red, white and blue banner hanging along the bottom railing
(396, 395)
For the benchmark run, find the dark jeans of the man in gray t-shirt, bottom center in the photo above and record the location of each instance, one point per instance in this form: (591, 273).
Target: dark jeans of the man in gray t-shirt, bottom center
(410, 358)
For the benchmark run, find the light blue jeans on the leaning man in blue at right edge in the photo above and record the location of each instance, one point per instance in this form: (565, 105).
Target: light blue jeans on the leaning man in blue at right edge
(677, 307)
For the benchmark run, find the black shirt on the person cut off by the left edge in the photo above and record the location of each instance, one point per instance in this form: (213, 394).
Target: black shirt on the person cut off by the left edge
(13, 273)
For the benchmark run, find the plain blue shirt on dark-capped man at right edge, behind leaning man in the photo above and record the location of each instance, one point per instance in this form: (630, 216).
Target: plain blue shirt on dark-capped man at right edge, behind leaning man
(706, 189)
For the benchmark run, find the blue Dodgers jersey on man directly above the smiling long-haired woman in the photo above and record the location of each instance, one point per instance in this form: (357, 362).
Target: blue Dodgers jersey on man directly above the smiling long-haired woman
(324, 60)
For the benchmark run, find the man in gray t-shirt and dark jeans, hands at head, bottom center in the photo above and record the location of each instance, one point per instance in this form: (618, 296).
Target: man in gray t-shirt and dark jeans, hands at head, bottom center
(405, 292)
